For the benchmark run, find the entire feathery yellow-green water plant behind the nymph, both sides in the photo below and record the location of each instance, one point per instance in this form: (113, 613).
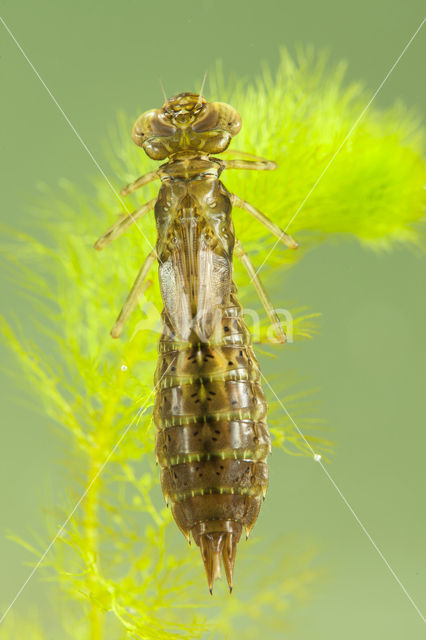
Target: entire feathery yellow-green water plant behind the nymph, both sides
(120, 557)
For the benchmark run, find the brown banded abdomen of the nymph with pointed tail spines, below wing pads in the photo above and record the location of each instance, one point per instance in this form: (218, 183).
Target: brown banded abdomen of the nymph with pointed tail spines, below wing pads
(212, 439)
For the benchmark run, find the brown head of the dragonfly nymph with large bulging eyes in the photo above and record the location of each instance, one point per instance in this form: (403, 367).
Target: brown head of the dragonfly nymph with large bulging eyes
(186, 123)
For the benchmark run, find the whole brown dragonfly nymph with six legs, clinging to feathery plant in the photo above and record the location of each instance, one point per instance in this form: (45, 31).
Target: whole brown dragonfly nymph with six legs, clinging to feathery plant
(212, 439)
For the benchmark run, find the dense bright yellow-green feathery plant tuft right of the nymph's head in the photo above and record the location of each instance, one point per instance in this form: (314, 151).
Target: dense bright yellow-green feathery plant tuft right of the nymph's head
(299, 117)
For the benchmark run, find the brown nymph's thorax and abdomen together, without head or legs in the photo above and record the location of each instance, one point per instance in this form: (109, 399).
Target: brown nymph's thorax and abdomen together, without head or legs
(210, 410)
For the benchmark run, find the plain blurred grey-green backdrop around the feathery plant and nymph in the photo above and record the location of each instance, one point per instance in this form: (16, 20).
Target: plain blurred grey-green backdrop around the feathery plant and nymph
(369, 359)
